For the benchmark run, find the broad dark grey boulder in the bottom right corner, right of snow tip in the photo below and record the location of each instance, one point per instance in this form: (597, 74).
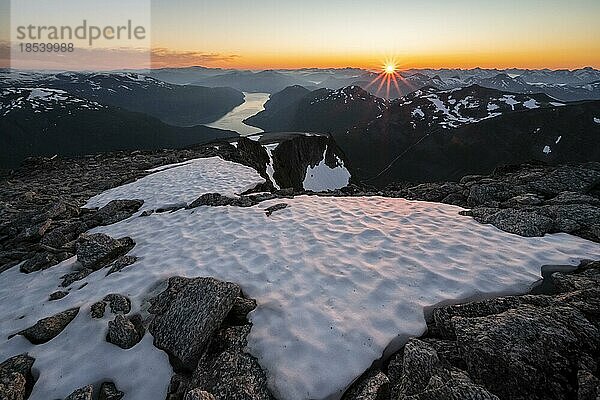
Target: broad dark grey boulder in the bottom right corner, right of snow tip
(503, 351)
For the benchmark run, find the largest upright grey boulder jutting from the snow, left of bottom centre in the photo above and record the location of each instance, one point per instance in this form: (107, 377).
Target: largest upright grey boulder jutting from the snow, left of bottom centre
(187, 313)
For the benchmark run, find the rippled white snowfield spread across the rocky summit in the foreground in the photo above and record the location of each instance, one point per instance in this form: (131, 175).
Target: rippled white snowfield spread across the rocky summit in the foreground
(350, 277)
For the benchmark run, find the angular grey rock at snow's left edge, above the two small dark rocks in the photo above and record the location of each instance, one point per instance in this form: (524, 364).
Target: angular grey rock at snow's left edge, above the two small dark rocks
(96, 250)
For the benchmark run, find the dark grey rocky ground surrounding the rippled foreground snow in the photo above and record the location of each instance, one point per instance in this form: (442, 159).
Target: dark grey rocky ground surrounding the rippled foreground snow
(539, 346)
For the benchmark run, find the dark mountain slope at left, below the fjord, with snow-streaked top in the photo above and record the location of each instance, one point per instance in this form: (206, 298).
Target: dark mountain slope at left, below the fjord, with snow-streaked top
(47, 122)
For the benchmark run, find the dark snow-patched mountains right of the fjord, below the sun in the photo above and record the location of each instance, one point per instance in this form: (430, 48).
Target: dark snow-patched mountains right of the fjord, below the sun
(435, 134)
